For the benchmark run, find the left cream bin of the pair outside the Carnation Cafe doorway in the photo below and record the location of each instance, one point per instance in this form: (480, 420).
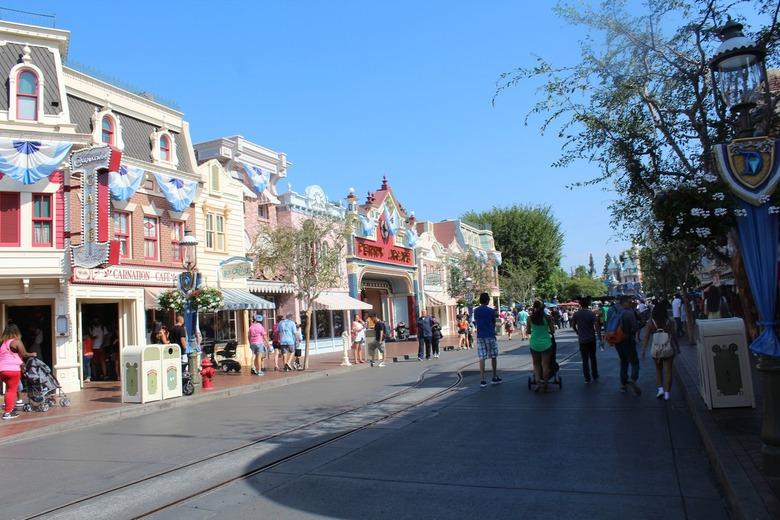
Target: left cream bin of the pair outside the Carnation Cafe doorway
(142, 372)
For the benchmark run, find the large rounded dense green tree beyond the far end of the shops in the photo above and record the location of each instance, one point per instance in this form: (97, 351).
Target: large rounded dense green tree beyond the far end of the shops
(528, 237)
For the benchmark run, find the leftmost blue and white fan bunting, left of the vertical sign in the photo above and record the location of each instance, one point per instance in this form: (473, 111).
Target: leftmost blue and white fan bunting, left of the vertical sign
(30, 161)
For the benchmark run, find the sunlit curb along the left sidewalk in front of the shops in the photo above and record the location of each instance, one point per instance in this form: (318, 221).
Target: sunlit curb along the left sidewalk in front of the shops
(119, 413)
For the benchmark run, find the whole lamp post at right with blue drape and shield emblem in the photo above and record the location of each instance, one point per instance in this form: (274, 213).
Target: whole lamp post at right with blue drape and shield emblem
(749, 167)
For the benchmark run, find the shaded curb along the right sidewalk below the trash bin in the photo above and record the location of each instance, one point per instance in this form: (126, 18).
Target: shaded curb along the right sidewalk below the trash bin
(741, 495)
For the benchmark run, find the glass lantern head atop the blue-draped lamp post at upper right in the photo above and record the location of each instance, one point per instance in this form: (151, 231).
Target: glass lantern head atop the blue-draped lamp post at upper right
(739, 77)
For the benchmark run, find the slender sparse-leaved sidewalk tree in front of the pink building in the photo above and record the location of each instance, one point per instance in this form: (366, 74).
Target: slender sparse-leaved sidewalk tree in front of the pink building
(307, 256)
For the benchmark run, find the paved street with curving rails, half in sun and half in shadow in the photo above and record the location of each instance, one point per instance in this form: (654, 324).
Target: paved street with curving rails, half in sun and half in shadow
(500, 452)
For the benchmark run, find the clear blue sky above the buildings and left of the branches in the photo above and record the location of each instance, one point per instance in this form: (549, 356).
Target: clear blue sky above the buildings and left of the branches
(354, 90)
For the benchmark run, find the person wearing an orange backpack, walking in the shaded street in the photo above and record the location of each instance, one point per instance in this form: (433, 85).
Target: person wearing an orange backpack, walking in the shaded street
(621, 333)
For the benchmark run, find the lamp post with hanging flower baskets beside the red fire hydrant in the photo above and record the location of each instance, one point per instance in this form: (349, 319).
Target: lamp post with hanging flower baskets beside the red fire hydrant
(189, 280)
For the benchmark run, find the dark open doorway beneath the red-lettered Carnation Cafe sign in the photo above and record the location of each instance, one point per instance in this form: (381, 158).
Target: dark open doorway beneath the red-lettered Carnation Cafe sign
(101, 322)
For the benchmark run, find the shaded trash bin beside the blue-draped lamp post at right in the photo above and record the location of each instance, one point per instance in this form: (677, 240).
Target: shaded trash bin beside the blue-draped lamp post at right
(725, 379)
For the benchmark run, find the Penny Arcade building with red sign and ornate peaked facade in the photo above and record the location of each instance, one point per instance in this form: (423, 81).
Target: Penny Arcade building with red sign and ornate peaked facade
(381, 264)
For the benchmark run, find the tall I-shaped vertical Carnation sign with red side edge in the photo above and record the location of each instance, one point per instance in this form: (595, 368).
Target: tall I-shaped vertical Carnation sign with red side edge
(93, 164)
